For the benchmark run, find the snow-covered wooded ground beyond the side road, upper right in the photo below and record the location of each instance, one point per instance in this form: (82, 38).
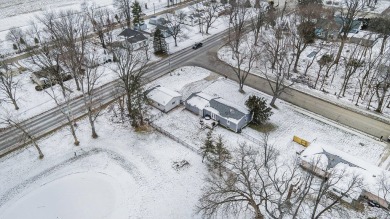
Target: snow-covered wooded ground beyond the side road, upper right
(332, 84)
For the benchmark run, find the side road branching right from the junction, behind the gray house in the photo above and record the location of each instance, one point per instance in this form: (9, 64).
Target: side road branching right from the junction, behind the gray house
(367, 124)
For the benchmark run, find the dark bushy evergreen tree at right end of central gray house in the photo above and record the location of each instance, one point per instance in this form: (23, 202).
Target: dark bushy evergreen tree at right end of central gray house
(259, 109)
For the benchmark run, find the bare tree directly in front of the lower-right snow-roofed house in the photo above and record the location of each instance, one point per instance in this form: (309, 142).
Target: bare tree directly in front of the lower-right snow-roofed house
(322, 189)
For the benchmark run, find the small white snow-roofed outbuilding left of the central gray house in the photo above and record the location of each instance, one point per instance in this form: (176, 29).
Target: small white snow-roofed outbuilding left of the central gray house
(163, 99)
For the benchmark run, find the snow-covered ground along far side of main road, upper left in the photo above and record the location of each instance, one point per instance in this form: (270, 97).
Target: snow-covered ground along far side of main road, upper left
(32, 102)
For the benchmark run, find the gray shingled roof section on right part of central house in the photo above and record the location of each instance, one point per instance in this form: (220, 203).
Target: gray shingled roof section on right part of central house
(228, 109)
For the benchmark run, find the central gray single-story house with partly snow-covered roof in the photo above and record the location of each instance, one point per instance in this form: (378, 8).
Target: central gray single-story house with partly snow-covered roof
(227, 114)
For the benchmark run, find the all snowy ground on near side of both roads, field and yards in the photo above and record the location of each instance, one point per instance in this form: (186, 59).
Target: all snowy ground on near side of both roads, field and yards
(124, 174)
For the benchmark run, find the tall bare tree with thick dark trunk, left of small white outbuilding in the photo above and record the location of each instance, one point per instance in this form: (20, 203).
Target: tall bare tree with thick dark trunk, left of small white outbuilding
(131, 66)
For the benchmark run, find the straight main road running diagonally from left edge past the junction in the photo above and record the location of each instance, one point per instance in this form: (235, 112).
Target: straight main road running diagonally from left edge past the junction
(53, 119)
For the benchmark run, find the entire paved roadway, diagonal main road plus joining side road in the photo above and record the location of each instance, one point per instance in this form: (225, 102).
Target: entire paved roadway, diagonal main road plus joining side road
(203, 57)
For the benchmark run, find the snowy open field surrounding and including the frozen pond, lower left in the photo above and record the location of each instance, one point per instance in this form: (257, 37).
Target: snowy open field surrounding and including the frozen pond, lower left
(121, 174)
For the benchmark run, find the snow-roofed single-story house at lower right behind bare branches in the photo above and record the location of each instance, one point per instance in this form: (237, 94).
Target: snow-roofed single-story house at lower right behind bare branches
(327, 159)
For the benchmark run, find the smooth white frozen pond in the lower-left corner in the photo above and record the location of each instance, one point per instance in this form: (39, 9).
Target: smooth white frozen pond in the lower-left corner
(79, 195)
